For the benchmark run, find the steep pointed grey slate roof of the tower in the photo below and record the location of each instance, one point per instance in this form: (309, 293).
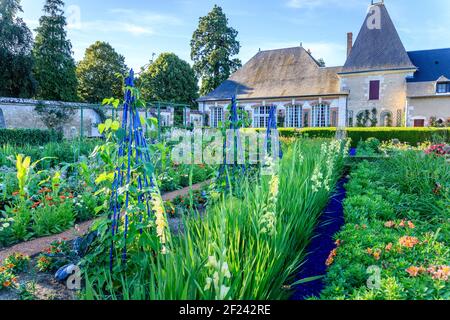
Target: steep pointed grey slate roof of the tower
(378, 49)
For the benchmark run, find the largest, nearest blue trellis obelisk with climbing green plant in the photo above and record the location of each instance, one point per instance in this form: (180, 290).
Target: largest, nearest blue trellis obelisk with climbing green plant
(133, 171)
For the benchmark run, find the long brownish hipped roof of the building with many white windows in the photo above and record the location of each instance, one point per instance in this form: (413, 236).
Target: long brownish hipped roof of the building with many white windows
(290, 72)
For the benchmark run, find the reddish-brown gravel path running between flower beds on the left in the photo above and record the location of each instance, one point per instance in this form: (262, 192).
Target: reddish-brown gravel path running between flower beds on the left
(34, 247)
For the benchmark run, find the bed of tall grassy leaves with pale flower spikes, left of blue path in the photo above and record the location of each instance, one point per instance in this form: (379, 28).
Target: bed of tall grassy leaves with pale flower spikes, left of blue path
(244, 247)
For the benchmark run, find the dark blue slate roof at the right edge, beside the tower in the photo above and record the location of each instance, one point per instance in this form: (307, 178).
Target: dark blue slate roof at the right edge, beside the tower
(431, 64)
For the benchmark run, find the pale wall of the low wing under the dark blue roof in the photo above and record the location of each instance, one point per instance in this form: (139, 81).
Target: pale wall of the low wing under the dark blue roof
(427, 108)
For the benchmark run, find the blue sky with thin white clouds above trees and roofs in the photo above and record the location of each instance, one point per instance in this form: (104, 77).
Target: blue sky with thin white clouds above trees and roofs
(139, 28)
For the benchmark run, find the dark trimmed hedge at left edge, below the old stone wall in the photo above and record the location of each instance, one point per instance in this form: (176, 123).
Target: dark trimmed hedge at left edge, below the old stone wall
(35, 137)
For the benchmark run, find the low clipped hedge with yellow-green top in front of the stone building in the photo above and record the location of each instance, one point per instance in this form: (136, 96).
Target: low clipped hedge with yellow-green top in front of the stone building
(412, 136)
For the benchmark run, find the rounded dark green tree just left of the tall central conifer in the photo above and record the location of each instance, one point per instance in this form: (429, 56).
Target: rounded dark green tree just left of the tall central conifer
(169, 78)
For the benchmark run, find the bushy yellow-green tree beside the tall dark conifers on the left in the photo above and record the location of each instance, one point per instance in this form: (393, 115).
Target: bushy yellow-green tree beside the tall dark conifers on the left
(99, 73)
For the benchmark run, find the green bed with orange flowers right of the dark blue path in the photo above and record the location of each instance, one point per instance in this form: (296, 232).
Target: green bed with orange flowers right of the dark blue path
(395, 242)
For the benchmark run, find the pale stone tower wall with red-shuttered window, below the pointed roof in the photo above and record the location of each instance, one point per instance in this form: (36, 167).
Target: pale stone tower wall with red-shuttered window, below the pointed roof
(393, 90)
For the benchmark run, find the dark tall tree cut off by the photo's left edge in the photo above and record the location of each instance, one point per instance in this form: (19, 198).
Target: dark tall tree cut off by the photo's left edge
(16, 59)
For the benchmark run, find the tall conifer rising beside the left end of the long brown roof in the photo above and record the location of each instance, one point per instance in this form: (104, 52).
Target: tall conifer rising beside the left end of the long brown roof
(213, 47)
